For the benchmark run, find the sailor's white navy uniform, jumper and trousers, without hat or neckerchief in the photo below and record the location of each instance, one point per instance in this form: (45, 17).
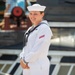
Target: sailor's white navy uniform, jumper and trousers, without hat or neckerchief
(36, 50)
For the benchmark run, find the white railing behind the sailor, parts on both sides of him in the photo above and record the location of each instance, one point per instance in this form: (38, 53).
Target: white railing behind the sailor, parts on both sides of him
(56, 57)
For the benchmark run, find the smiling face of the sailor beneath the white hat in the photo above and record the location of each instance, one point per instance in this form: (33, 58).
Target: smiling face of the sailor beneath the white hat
(35, 16)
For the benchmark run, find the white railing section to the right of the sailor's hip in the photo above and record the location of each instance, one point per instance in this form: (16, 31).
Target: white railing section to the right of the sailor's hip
(56, 57)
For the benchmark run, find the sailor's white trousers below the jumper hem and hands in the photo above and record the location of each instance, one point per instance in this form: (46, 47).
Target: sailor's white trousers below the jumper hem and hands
(39, 68)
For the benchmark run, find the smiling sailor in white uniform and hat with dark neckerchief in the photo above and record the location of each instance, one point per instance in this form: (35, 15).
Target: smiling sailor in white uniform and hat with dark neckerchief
(34, 60)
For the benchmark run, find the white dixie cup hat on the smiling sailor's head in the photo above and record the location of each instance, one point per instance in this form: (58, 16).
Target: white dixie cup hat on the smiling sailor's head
(36, 7)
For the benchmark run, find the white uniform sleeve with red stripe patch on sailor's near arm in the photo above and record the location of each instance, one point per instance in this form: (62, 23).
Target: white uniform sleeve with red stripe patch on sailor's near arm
(42, 41)
